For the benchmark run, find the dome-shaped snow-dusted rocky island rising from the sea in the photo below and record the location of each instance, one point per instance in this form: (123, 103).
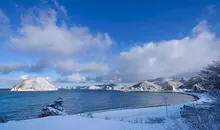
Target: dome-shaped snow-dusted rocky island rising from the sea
(34, 84)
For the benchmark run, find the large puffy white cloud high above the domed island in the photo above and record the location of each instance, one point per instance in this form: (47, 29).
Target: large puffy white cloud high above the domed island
(41, 33)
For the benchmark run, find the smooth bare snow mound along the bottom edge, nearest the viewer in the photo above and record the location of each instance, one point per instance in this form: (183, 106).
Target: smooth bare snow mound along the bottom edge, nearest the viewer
(68, 123)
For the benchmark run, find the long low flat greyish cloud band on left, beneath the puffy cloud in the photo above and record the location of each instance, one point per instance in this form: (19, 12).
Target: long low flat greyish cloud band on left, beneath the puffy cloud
(61, 66)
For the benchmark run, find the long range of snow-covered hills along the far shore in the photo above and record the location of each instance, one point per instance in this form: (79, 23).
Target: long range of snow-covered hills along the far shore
(159, 84)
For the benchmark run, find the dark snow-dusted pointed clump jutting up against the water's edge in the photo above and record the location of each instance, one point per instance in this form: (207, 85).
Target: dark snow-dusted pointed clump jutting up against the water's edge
(54, 109)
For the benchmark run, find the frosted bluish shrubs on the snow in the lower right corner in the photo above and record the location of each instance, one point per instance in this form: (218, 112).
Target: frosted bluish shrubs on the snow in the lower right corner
(203, 116)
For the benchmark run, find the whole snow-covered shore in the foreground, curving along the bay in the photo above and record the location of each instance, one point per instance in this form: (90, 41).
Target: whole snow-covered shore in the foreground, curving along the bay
(154, 118)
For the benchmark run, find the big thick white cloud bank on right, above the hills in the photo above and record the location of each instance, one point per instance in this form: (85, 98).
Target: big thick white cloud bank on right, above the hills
(172, 57)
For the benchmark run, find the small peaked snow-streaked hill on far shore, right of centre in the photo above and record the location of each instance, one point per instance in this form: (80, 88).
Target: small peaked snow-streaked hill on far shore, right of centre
(147, 86)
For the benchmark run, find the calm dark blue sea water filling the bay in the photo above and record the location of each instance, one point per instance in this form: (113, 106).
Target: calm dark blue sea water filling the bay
(25, 105)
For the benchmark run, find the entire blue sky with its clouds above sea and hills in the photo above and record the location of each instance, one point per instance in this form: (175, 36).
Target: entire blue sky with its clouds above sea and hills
(106, 41)
